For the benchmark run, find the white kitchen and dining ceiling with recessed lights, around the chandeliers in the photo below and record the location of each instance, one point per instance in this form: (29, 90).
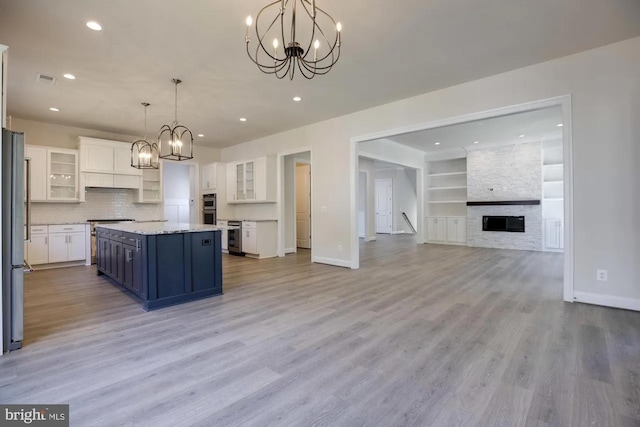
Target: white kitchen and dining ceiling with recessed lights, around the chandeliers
(390, 51)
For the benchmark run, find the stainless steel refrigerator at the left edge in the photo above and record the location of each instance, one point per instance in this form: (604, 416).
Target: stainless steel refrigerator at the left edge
(15, 212)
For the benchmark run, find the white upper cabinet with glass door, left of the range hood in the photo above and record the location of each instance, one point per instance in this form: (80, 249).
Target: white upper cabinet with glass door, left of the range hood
(63, 175)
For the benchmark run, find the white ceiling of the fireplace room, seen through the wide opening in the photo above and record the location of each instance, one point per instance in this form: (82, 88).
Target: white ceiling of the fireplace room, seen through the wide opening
(539, 125)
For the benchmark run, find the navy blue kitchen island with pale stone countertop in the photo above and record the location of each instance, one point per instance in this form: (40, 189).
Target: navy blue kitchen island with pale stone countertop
(162, 264)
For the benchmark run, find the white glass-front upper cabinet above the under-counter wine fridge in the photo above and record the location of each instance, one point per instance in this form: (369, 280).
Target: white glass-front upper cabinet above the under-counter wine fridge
(252, 181)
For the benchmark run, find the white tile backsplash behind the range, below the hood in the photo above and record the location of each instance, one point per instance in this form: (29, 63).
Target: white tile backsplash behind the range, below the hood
(101, 203)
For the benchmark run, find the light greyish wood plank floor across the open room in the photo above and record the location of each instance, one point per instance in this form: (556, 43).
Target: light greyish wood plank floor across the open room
(419, 336)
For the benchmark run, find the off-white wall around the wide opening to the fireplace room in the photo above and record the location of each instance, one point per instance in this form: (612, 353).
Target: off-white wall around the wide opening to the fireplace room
(605, 88)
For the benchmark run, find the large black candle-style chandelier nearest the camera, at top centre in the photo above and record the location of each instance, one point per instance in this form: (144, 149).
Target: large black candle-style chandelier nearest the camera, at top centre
(283, 59)
